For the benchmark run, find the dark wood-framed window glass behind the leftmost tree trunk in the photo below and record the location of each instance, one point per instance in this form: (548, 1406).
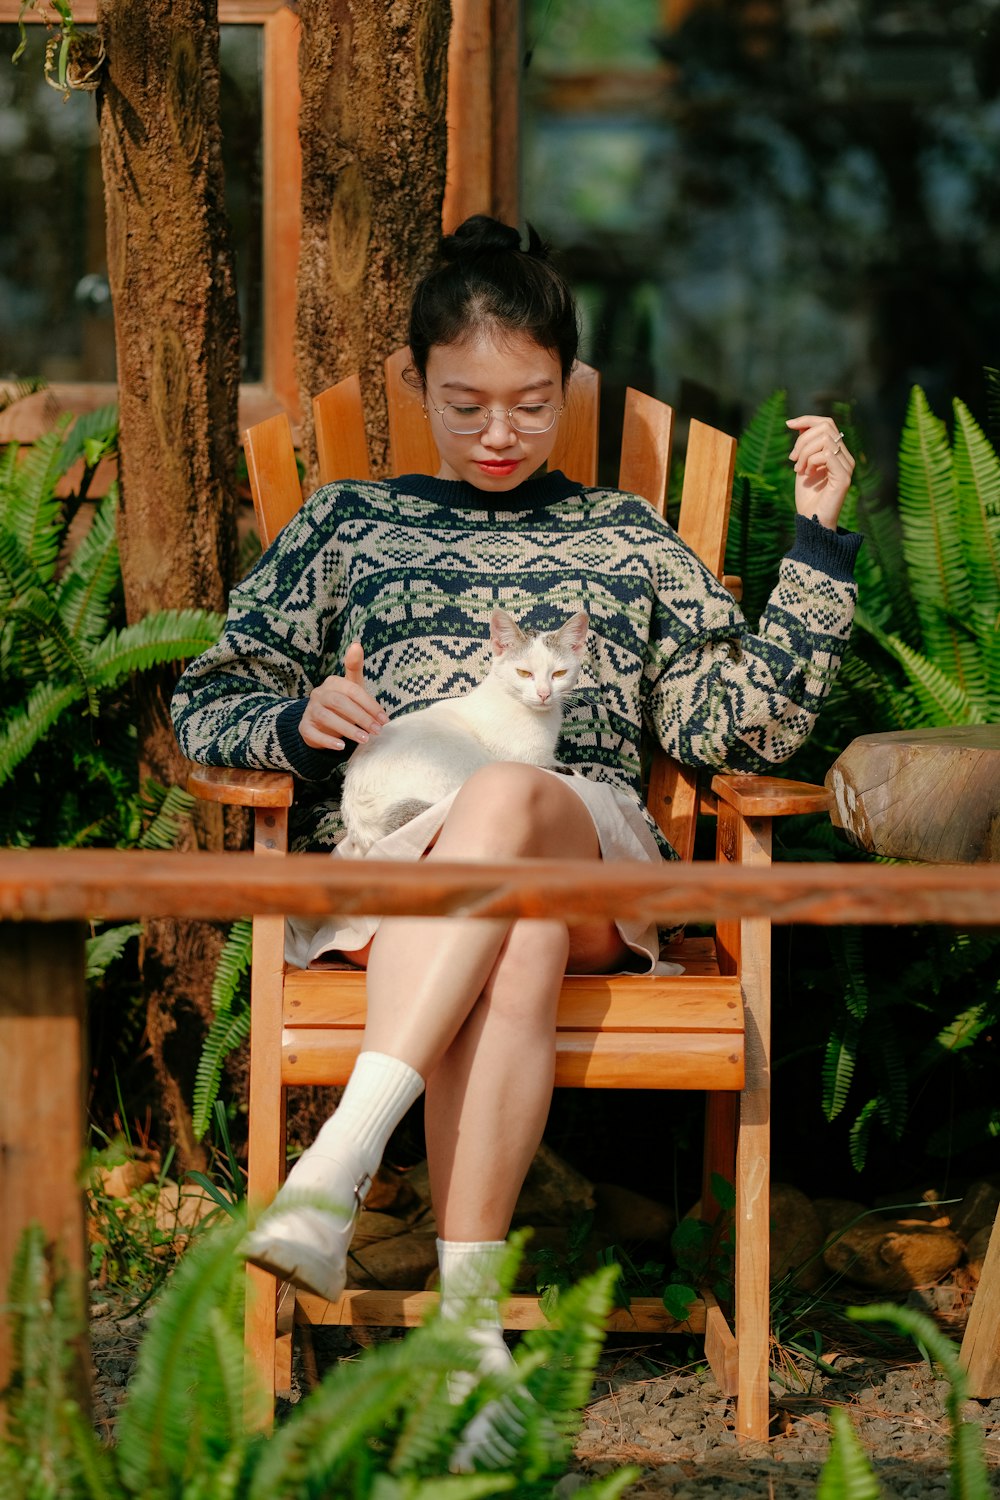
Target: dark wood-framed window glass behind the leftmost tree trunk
(55, 301)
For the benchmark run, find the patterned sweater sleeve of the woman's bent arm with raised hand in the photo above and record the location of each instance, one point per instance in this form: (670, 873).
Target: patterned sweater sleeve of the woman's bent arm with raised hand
(716, 694)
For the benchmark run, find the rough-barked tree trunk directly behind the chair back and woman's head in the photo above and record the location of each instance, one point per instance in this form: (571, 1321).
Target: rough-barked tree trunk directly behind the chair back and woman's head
(374, 149)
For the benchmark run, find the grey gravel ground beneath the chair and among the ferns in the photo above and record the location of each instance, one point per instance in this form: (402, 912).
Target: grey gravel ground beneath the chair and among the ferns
(678, 1429)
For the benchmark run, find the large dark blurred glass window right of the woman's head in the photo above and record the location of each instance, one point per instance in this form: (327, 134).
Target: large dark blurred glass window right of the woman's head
(785, 196)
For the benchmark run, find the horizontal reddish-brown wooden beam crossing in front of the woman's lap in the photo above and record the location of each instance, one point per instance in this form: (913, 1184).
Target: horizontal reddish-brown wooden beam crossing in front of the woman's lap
(118, 884)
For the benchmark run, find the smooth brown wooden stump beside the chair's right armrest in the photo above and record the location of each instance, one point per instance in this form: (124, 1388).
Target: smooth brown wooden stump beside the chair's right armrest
(923, 794)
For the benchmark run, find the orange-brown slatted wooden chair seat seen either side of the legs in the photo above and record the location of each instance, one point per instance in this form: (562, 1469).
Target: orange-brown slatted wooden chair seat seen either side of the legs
(608, 1036)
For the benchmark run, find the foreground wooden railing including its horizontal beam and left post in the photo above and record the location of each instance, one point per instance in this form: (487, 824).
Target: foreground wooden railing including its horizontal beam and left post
(49, 896)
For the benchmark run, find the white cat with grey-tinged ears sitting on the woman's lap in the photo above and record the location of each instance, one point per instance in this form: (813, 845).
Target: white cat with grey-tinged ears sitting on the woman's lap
(513, 715)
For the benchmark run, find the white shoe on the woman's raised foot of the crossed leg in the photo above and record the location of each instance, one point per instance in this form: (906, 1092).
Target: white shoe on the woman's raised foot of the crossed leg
(307, 1232)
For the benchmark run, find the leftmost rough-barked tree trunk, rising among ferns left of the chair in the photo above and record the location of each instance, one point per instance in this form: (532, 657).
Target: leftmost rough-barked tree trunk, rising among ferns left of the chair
(179, 367)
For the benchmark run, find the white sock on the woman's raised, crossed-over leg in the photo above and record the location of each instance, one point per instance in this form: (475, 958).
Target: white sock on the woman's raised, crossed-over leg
(379, 1094)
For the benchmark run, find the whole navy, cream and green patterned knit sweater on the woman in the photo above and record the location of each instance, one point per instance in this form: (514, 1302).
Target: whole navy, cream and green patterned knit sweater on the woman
(413, 568)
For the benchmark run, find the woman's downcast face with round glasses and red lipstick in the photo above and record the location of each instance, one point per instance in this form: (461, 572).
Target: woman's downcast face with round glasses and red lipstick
(496, 373)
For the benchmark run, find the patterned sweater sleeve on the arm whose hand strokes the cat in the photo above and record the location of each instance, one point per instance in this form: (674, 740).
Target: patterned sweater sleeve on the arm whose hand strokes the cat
(242, 701)
